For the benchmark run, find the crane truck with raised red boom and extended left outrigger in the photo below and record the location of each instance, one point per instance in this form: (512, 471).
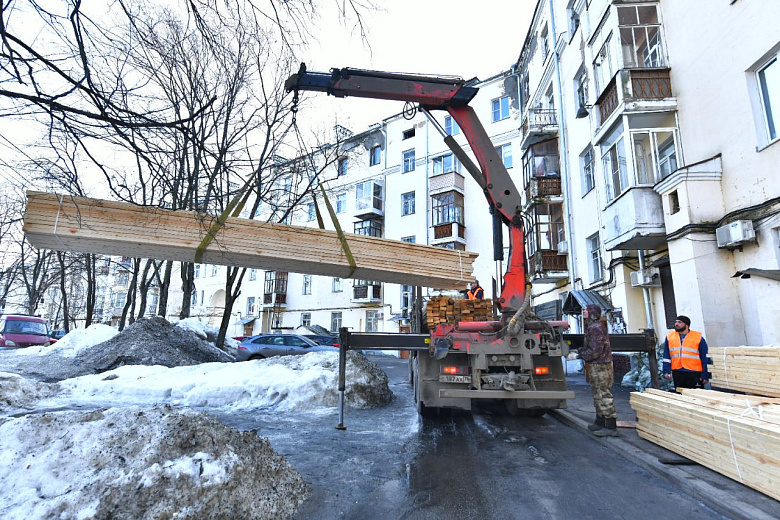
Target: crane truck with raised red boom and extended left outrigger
(517, 358)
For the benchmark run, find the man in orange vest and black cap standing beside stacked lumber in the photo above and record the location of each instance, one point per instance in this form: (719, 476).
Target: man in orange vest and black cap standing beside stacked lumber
(685, 355)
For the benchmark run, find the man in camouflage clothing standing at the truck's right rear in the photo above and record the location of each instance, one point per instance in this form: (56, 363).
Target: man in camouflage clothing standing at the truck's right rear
(597, 354)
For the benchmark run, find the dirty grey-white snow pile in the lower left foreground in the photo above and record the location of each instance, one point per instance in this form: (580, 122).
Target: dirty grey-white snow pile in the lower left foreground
(141, 463)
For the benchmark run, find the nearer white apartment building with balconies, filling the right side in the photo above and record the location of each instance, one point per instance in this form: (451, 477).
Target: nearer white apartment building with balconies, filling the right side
(648, 142)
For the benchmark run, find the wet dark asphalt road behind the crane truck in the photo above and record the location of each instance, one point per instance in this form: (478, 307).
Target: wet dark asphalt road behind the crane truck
(390, 464)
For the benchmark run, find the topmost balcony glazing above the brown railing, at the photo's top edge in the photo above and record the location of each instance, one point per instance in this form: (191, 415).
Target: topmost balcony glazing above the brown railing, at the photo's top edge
(640, 36)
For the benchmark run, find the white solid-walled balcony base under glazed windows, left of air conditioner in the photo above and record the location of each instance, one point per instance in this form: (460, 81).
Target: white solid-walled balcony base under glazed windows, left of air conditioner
(635, 220)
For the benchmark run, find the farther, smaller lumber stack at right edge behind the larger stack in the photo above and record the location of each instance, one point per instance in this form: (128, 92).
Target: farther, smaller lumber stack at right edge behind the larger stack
(754, 370)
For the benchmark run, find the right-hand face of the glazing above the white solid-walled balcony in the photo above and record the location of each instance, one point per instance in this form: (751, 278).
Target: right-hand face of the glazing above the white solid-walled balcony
(655, 155)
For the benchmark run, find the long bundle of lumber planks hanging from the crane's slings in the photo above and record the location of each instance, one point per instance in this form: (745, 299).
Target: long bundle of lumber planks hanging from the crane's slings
(66, 223)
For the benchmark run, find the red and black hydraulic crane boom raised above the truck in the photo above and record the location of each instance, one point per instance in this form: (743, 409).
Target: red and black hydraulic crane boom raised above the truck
(450, 94)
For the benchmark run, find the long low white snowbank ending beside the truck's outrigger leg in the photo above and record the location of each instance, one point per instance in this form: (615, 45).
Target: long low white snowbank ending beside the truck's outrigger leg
(286, 383)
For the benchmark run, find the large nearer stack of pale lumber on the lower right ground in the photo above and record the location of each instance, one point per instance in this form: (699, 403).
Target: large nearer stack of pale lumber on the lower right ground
(735, 435)
